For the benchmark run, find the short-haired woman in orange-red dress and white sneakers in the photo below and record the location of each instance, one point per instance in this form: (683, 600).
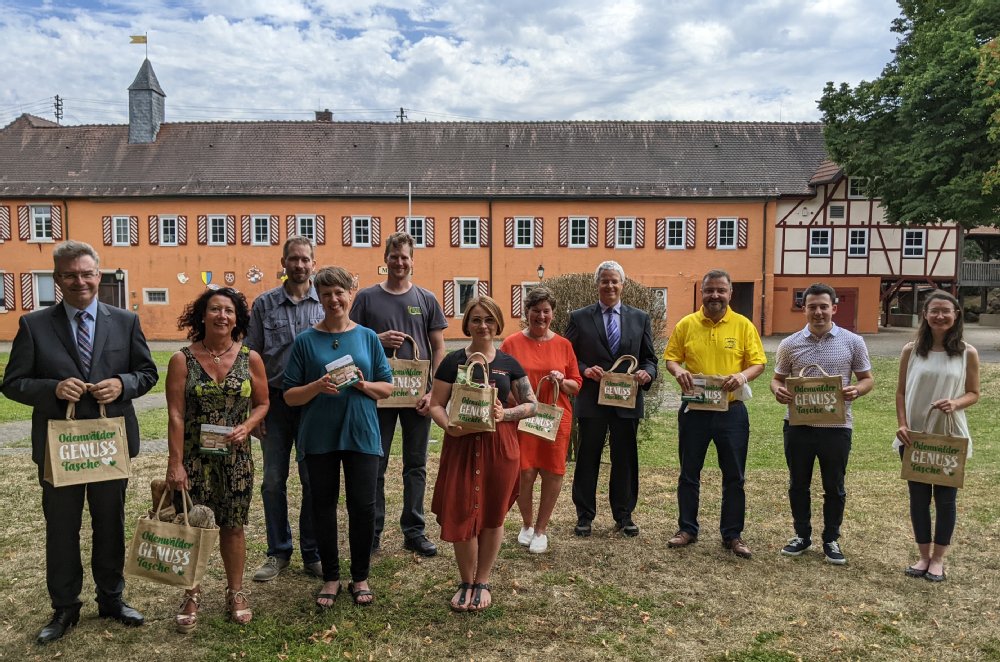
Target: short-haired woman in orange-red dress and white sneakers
(543, 353)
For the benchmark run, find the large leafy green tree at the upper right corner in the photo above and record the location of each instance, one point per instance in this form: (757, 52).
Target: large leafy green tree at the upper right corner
(919, 131)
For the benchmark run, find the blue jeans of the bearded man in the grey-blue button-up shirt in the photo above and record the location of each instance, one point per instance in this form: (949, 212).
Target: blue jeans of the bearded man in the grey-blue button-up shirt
(278, 444)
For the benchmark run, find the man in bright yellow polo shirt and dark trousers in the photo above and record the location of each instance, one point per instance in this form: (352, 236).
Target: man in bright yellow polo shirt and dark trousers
(714, 341)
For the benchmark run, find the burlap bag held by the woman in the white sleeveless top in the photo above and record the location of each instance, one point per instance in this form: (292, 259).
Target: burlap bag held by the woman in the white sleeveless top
(938, 459)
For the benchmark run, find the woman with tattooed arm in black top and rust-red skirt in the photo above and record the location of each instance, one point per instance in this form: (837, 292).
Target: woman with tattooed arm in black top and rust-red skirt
(478, 470)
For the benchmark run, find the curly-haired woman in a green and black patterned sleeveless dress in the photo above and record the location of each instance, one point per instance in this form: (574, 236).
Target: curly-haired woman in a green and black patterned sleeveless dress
(216, 380)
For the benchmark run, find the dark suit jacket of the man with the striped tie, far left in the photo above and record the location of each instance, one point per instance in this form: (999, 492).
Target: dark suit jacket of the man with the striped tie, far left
(44, 354)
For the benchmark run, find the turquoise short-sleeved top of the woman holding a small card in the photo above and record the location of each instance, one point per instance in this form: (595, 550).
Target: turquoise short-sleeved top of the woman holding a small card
(344, 422)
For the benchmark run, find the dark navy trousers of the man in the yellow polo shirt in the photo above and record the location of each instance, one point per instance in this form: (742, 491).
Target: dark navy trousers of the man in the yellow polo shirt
(730, 430)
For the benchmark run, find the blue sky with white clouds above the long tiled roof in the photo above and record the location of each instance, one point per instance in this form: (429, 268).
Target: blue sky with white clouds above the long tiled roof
(442, 60)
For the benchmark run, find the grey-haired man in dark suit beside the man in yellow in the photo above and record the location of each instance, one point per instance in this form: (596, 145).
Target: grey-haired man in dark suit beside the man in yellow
(600, 333)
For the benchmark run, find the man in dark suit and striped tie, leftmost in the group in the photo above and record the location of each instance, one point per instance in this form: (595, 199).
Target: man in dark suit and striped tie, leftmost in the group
(85, 352)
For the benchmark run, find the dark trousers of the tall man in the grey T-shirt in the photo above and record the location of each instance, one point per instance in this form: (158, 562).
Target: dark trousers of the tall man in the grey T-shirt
(415, 431)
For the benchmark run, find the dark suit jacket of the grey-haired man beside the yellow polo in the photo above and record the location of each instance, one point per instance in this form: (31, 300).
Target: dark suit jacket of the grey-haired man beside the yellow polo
(586, 332)
